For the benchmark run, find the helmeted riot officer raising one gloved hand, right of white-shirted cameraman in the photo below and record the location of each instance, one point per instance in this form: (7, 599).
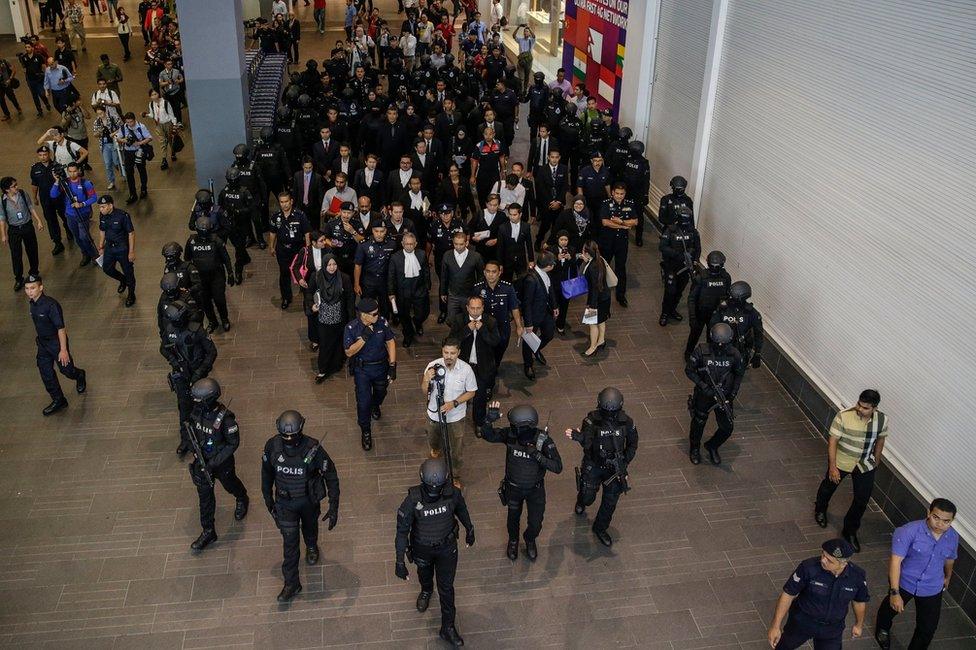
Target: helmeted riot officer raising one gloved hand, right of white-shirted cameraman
(529, 453)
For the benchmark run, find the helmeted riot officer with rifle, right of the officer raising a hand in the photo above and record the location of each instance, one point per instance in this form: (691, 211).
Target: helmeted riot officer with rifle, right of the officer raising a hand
(609, 440)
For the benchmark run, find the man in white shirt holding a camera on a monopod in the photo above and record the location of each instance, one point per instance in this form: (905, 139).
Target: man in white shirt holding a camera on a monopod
(450, 382)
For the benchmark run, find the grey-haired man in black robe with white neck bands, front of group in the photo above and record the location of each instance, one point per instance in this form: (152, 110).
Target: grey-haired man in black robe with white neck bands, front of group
(408, 287)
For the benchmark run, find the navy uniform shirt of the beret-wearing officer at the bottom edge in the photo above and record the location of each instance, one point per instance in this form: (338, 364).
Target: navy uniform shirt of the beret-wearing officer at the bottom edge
(823, 597)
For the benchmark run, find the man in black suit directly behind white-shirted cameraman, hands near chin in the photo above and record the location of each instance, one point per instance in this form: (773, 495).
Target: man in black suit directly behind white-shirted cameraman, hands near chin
(479, 337)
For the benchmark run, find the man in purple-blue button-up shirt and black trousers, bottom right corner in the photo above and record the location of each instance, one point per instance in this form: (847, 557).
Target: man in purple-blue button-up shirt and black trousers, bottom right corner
(922, 555)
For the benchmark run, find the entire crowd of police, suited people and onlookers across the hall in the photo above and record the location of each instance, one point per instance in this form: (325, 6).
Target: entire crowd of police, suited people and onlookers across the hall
(390, 164)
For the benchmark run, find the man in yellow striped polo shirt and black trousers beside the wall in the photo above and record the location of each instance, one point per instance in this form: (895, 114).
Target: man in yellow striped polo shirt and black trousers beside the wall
(857, 436)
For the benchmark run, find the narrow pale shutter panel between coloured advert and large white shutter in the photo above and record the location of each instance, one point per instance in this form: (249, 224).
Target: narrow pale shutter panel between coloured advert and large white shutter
(679, 70)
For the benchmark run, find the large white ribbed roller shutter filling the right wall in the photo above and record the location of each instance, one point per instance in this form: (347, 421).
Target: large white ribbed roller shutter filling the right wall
(840, 182)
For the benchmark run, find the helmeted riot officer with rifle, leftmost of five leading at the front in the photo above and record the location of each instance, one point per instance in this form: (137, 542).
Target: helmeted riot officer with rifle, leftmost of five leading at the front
(215, 430)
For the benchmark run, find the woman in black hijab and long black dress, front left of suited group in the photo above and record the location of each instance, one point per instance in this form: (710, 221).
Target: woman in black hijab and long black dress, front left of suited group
(334, 304)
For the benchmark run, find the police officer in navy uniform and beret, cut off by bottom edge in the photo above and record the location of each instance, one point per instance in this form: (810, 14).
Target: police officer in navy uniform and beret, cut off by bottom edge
(817, 596)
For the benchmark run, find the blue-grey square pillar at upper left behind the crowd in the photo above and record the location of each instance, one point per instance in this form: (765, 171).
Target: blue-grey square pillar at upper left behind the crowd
(216, 83)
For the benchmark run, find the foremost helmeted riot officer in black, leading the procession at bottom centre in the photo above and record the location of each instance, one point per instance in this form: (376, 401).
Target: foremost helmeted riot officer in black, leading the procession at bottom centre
(427, 523)
